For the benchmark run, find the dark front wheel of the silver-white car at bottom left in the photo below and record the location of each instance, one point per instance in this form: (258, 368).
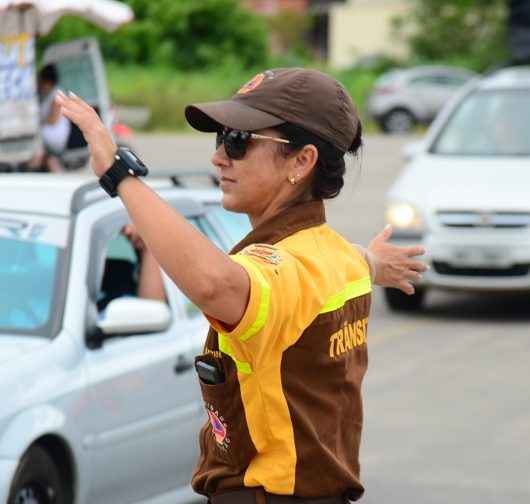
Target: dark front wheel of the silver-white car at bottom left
(37, 480)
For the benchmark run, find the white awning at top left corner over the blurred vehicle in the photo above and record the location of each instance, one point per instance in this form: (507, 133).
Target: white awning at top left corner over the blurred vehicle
(107, 14)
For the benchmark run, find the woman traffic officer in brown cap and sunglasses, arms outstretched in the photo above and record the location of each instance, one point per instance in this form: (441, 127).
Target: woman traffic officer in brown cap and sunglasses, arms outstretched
(286, 353)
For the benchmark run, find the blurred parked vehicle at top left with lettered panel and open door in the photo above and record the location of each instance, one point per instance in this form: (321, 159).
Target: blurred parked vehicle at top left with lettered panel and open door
(80, 69)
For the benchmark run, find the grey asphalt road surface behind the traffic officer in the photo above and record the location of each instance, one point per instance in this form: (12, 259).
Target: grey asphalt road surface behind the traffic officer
(447, 409)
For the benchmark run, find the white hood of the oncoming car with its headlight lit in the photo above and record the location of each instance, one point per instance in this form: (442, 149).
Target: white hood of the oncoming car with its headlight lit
(473, 183)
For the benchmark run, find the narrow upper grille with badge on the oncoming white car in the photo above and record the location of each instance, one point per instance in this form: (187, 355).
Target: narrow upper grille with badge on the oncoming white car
(466, 219)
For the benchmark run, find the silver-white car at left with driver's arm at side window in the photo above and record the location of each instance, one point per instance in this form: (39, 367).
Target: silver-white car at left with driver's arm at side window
(95, 407)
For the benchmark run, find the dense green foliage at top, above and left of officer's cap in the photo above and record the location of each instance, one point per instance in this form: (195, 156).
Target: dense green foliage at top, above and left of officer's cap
(184, 33)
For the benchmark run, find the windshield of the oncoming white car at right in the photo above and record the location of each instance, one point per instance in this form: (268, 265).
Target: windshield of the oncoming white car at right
(488, 123)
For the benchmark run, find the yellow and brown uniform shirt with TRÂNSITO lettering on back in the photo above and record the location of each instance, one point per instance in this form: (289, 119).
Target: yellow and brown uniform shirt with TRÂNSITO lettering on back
(288, 416)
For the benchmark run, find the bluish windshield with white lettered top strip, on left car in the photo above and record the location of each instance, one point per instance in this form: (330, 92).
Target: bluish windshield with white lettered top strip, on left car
(32, 250)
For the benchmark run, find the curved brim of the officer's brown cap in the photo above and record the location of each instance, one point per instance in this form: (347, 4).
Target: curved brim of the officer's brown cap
(212, 116)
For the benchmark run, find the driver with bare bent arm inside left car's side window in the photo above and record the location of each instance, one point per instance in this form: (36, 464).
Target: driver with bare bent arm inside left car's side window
(122, 277)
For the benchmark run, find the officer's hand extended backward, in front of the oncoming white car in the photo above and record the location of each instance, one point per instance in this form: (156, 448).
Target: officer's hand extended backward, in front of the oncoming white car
(395, 265)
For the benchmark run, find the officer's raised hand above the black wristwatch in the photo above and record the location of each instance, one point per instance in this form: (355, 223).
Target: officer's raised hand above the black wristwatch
(100, 142)
